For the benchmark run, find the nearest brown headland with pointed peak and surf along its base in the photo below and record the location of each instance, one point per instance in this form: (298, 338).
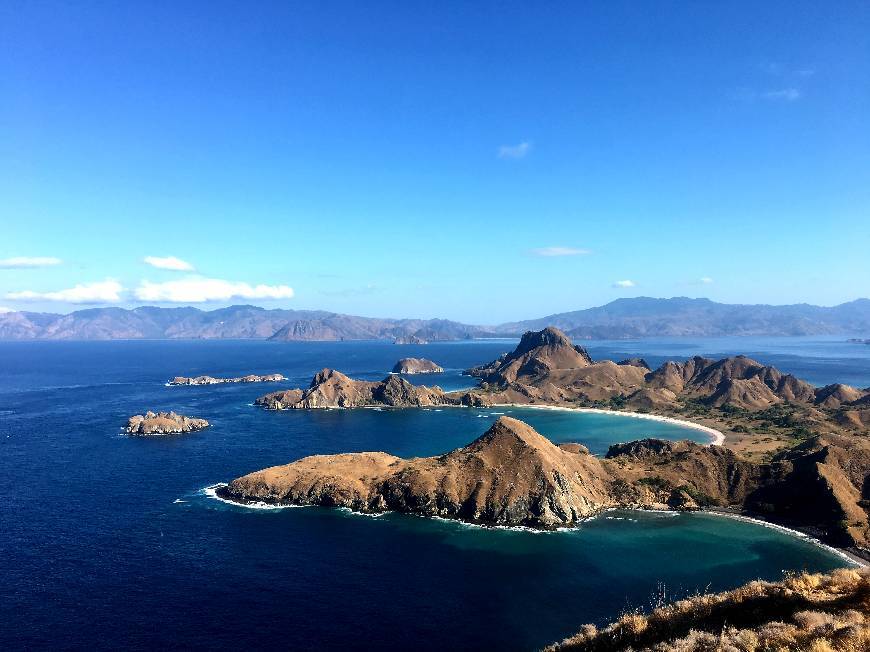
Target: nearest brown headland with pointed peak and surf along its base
(511, 475)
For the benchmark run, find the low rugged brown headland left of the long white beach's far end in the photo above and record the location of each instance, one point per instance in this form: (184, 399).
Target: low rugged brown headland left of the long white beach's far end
(332, 389)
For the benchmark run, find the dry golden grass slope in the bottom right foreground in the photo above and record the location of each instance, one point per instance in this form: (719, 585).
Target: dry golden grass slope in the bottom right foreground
(814, 612)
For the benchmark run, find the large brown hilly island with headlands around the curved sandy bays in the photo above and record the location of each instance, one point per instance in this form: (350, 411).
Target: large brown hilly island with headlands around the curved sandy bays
(793, 452)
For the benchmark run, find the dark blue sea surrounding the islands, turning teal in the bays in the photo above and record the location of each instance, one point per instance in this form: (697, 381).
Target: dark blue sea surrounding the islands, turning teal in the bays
(109, 541)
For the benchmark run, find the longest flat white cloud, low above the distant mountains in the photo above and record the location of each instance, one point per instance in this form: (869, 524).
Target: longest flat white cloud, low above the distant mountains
(199, 290)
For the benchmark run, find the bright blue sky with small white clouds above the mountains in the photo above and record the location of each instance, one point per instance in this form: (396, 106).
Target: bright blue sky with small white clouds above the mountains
(482, 162)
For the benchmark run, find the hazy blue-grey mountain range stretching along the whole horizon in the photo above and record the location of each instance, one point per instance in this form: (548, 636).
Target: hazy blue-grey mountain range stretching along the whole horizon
(620, 319)
